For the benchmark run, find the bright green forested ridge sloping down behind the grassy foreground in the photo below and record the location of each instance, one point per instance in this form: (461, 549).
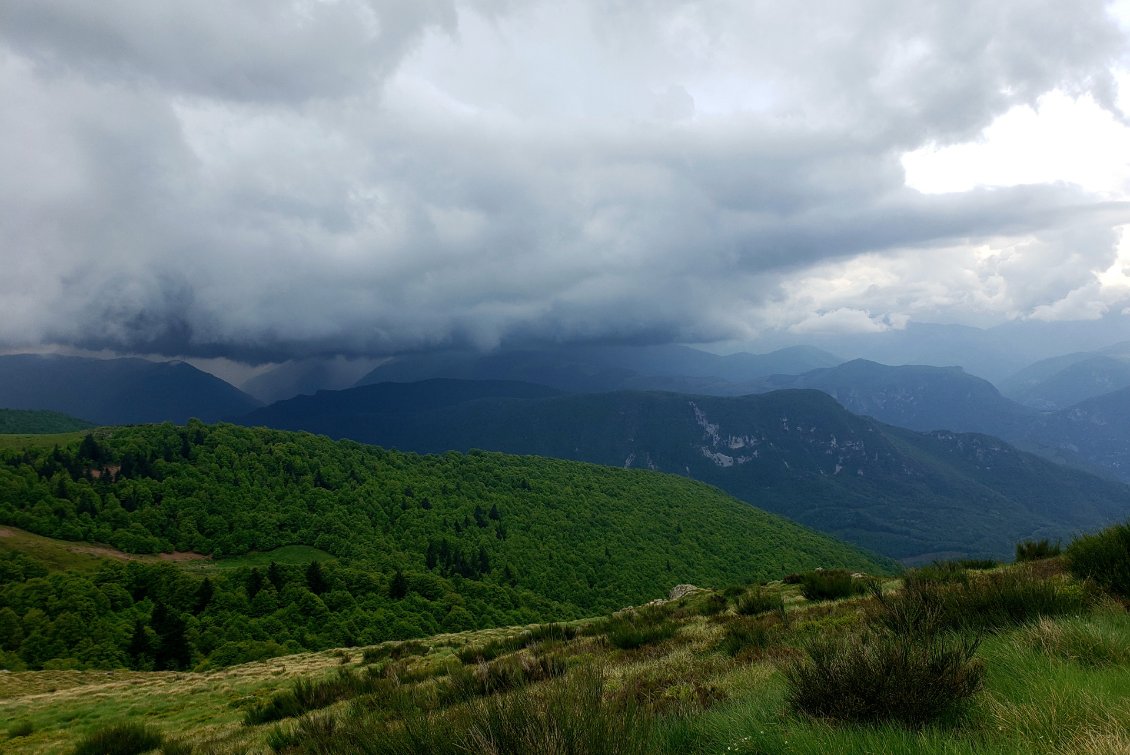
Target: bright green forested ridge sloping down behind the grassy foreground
(422, 544)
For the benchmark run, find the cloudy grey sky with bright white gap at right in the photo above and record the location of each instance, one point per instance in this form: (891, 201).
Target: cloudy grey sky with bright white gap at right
(267, 180)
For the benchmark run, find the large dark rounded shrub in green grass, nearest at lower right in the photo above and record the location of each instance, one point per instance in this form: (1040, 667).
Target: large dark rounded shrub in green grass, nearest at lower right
(877, 678)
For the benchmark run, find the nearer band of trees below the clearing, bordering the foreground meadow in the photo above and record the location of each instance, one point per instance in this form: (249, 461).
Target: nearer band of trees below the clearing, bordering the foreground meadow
(160, 617)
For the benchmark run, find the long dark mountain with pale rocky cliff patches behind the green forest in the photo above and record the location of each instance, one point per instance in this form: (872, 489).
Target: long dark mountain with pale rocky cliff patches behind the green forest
(796, 453)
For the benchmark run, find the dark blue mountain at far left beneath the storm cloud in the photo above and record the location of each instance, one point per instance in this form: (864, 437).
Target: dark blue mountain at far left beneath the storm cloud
(118, 392)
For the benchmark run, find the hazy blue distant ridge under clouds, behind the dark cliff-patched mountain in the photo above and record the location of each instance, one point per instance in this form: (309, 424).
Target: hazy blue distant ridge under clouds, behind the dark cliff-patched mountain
(595, 369)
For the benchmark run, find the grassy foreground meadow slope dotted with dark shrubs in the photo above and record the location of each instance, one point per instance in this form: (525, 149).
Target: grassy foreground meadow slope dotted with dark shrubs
(709, 672)
